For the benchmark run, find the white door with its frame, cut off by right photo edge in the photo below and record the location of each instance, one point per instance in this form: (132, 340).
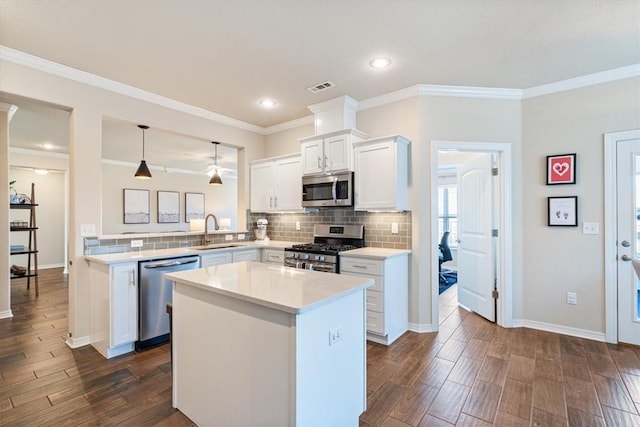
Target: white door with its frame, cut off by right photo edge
(622, 232)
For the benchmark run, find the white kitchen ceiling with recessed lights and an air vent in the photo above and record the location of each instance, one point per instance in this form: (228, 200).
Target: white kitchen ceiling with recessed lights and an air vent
(225, 55)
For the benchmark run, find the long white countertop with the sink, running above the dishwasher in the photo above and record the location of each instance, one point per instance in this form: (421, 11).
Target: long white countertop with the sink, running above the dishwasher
(177, 252)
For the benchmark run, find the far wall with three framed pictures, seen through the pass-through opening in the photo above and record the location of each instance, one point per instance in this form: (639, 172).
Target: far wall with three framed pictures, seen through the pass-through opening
(222, 200)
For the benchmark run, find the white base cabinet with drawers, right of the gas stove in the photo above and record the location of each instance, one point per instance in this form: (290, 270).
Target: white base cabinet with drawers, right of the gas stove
(388, 300)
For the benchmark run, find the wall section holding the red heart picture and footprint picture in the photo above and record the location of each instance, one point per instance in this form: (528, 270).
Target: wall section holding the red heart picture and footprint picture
(562, 259)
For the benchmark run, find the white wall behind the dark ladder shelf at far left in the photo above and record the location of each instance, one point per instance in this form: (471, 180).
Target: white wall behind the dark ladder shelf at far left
(50, 216)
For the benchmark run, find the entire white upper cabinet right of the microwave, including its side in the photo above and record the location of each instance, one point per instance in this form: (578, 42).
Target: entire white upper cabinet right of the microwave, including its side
(381, 174)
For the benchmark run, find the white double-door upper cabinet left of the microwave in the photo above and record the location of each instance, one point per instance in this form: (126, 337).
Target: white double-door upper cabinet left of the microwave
(276, 184)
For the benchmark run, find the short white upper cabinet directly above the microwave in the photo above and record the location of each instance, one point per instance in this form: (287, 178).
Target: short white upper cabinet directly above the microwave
(329, 153)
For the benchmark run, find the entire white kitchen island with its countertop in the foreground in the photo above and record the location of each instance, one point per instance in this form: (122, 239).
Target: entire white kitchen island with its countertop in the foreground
(258, 344)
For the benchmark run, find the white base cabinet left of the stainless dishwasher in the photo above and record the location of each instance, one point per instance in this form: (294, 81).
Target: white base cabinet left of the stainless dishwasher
(114, 307)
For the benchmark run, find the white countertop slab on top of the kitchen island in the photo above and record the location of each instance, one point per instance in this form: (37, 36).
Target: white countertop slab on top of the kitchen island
(282, 288)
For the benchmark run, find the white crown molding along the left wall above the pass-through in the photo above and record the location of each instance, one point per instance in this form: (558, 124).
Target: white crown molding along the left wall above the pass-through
(50, 67)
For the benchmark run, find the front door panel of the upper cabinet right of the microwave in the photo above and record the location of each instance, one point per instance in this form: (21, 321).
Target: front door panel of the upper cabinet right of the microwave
(373, 189)
